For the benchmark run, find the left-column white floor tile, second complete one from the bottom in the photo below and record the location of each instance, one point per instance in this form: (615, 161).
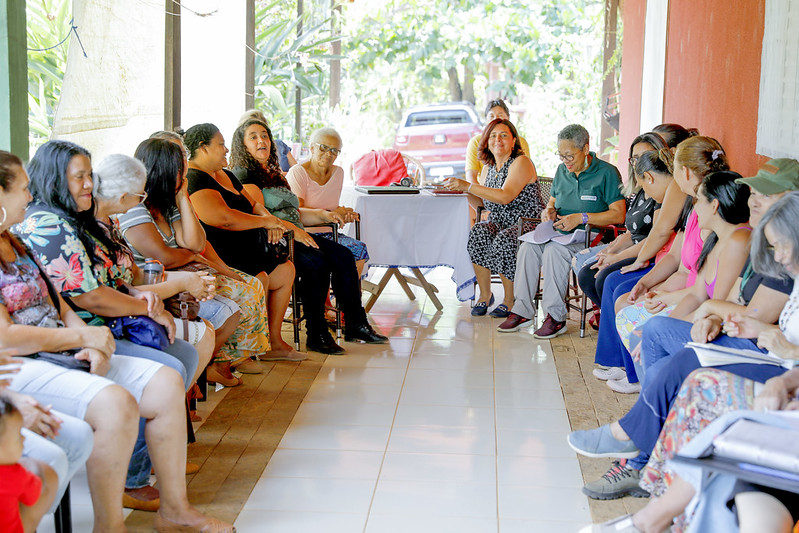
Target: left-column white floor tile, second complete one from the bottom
(335, 464)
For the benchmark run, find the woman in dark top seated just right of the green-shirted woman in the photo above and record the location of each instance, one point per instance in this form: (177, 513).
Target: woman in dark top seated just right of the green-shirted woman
(594, 264)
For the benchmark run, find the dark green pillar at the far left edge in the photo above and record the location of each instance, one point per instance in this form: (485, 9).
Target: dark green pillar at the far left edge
(13, 79)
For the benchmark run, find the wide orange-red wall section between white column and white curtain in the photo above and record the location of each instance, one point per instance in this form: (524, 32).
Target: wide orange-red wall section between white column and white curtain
(713, 73)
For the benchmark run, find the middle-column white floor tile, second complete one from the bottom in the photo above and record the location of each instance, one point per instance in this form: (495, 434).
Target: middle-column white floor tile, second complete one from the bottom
(439, 467)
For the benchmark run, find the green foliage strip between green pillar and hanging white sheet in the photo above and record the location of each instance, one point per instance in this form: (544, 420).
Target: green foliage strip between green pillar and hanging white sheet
(47, 25)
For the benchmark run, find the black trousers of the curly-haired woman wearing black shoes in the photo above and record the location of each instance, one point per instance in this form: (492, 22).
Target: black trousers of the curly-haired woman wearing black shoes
(318, 269)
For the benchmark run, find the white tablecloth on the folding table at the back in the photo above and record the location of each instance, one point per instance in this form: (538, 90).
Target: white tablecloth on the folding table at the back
(415, 230)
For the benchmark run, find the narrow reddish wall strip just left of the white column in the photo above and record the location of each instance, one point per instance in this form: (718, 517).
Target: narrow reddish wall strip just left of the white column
(632, 64)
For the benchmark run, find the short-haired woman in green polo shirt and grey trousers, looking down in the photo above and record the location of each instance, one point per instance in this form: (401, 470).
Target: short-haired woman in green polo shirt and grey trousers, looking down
(585, 190)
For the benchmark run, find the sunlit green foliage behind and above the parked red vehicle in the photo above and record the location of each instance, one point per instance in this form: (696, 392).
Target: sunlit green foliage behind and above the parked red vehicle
(544, 56)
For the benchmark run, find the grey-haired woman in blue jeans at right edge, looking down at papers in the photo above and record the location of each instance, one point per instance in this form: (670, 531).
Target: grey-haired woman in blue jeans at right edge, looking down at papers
(635, 435)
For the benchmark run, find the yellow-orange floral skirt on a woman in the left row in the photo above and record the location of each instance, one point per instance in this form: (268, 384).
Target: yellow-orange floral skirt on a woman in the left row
(251, 337)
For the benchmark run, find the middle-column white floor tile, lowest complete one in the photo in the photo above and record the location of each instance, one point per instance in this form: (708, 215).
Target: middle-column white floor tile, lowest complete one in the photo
(435, 498)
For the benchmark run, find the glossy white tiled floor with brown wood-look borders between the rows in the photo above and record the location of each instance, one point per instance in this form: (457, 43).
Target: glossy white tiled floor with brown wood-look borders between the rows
(452, 426)
